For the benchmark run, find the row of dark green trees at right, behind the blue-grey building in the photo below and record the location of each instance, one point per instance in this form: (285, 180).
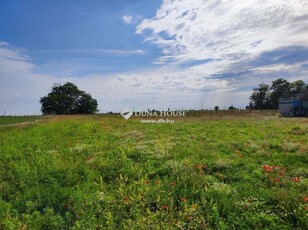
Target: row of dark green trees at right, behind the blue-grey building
(267, 96)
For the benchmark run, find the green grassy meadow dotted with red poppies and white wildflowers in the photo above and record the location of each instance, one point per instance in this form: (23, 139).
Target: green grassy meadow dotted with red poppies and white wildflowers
(102, 172)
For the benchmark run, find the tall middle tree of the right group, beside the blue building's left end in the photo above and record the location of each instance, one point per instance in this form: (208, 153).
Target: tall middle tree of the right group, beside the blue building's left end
(279, 88)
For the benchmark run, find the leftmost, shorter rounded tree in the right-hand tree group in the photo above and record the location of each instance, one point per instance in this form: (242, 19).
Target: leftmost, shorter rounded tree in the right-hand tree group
(260, 98)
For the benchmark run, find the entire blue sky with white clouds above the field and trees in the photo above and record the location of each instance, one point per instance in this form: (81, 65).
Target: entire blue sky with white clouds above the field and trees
(157, 54)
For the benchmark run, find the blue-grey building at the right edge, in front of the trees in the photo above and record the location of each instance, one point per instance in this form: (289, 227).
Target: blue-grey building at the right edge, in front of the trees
(296, 105)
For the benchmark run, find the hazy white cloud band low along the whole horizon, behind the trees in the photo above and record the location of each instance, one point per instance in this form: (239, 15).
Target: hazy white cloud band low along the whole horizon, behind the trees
(21, 86)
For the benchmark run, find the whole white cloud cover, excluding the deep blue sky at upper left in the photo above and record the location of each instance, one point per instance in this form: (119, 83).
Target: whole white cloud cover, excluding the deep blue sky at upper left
(213, 53)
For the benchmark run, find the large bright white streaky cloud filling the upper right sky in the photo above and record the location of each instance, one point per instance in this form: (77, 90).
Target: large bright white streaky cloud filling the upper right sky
(231, 30)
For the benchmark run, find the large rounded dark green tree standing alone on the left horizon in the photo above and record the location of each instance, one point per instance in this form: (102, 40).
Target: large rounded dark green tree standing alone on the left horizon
(68, 99)
